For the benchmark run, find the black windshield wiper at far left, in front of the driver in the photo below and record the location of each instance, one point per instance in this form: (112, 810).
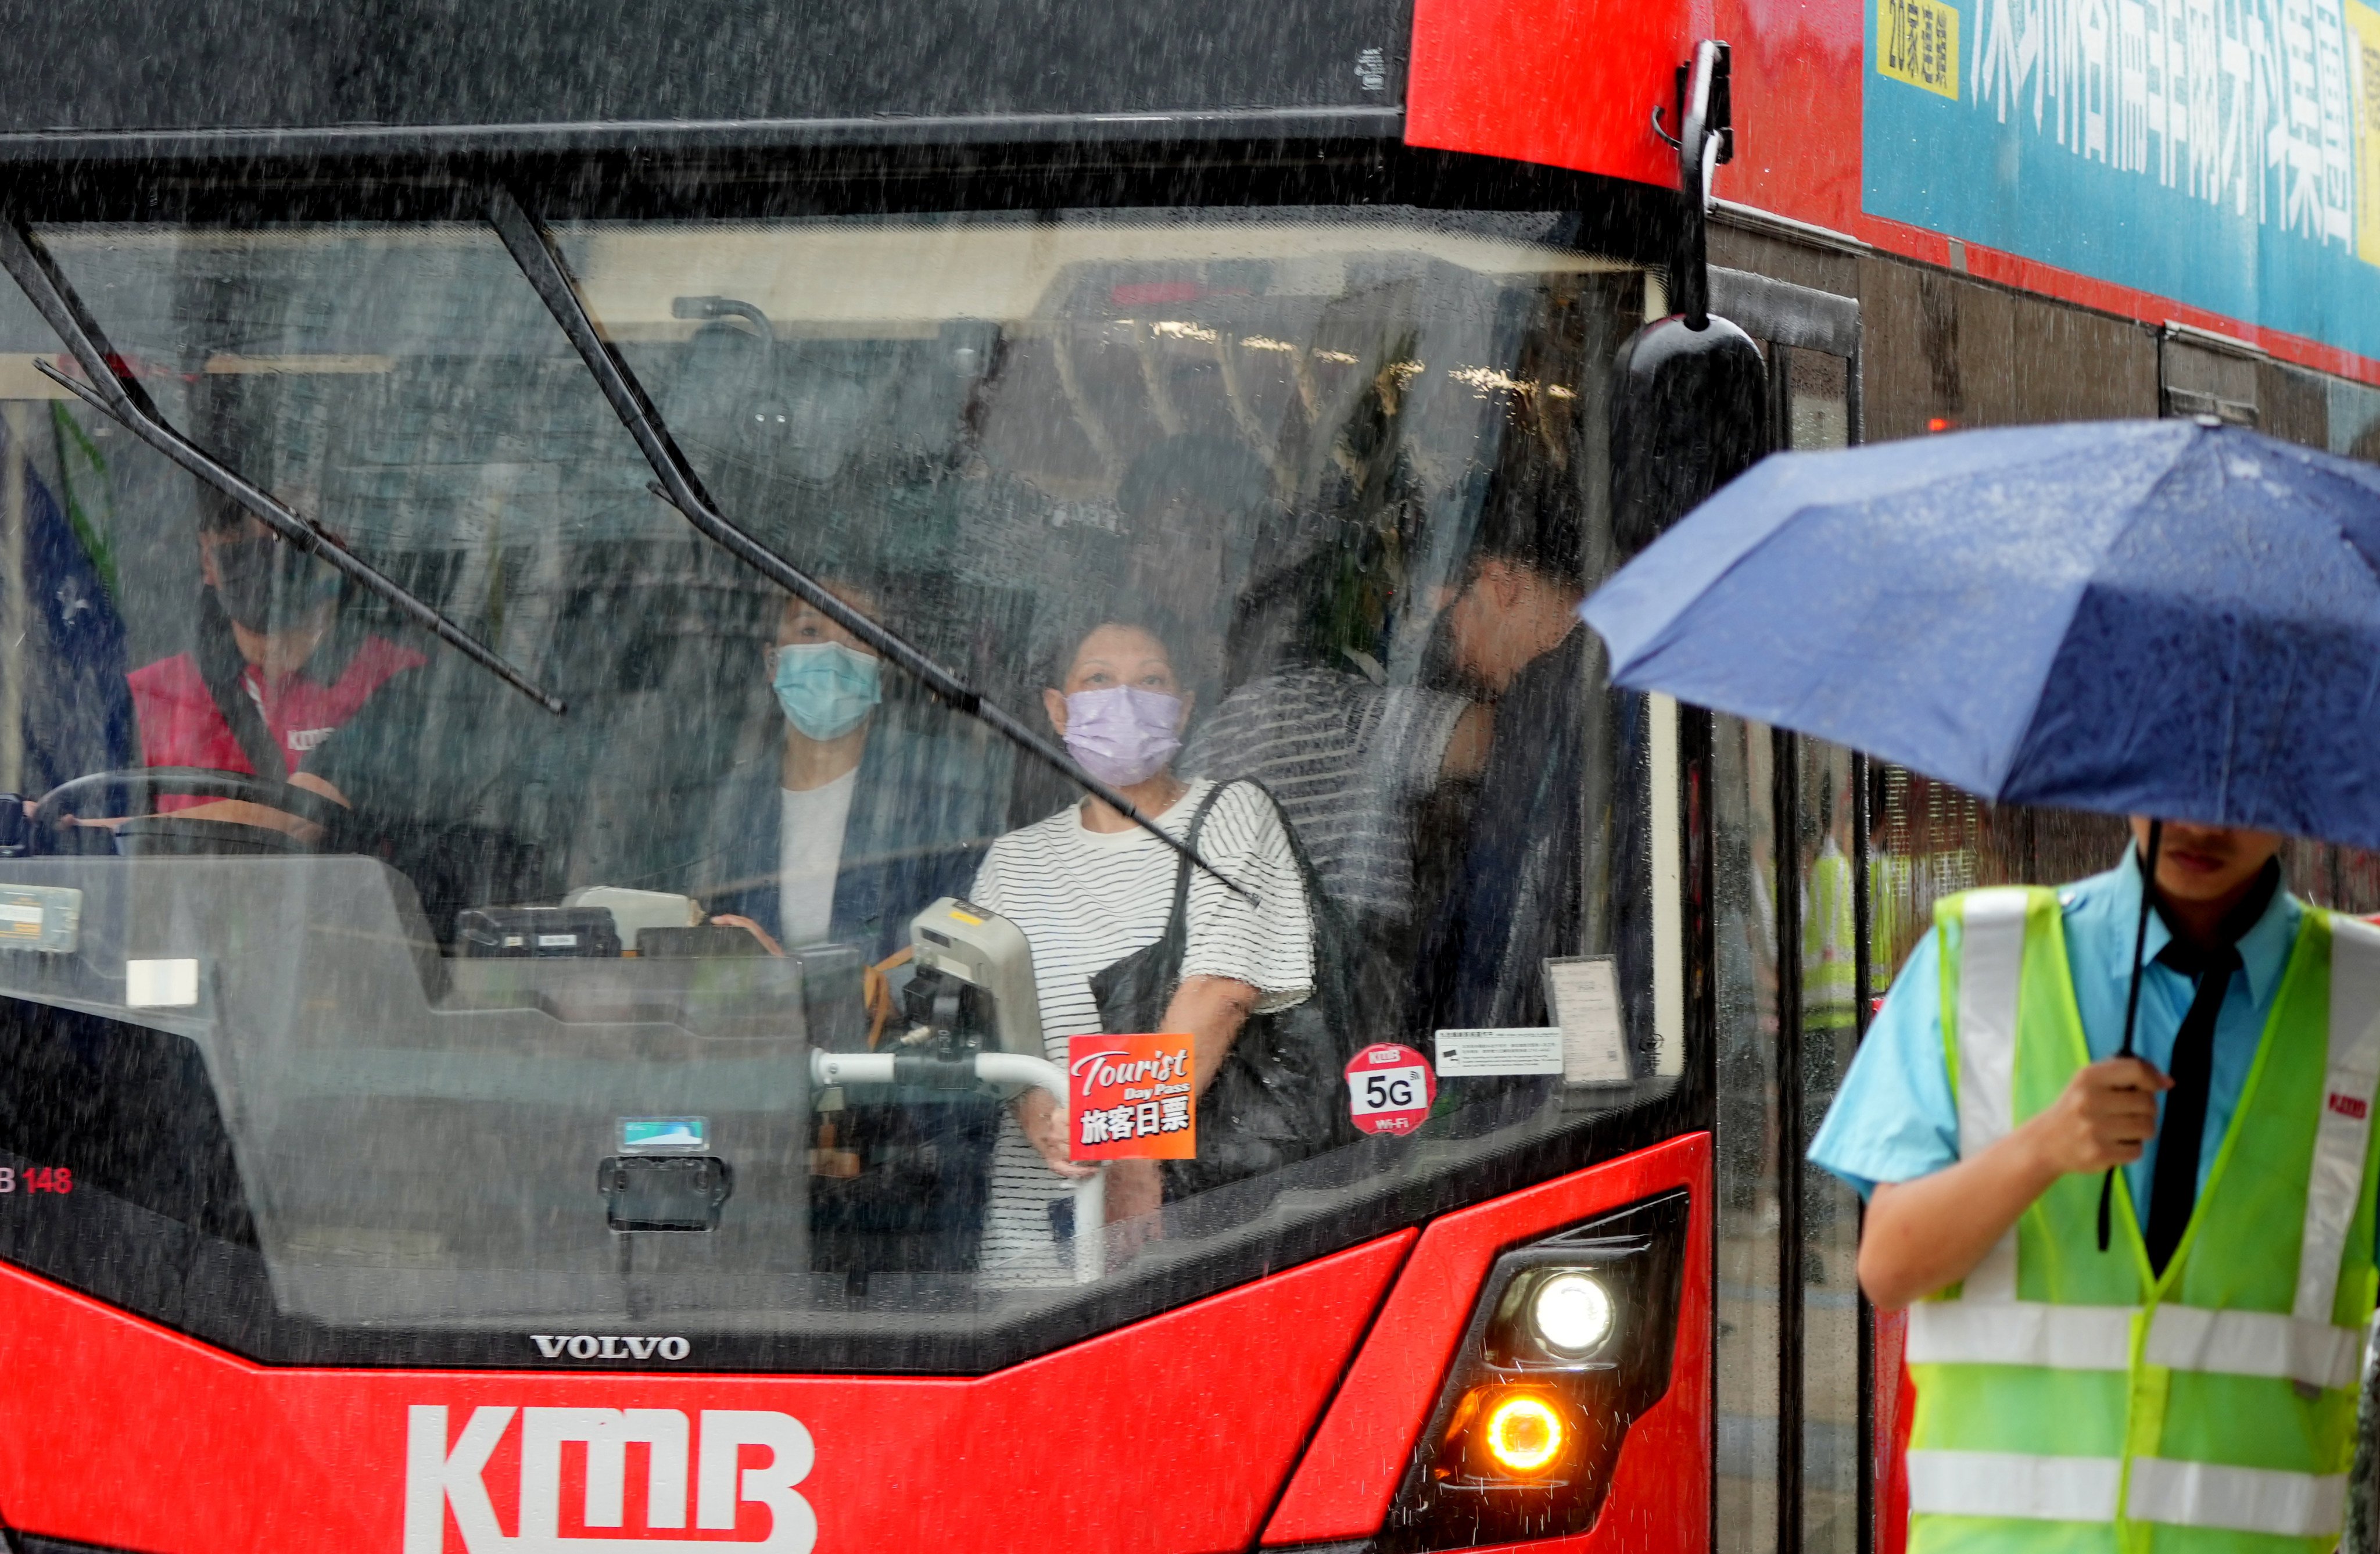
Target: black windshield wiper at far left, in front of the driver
(115, 394)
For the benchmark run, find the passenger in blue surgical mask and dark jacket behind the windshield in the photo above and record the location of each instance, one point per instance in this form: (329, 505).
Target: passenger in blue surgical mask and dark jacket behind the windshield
(877, 806)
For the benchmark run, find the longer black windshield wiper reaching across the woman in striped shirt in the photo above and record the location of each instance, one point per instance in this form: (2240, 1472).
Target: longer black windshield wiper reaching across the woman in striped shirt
(541, 261)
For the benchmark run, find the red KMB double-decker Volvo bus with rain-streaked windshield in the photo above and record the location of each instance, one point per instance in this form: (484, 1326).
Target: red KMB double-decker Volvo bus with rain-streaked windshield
(822, 779)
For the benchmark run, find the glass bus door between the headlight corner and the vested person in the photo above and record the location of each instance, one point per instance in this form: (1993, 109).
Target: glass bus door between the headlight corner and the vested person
(1796, 941)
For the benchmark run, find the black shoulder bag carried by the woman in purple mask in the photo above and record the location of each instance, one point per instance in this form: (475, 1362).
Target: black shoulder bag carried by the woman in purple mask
(1282, 1089)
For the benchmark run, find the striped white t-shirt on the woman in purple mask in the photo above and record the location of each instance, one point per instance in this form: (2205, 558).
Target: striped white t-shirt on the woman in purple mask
(1086, 901)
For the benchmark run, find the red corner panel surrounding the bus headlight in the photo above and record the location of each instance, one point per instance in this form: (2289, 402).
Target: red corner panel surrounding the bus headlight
(1662, 1493)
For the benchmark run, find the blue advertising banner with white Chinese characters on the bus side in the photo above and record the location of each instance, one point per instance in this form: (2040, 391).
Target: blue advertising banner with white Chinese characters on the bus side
(2224, 153)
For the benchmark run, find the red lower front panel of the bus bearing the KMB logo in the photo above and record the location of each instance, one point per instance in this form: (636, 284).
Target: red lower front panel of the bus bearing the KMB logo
(1172, 1434)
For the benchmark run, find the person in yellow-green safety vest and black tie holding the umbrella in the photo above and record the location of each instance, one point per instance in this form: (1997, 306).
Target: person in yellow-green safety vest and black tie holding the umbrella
(2193, 1386)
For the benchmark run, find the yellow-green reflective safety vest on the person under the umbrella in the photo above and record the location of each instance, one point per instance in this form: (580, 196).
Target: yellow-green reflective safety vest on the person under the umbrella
(2067, 1398)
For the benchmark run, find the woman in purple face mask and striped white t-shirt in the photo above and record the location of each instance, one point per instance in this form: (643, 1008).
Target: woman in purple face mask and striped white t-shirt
(1089, 889)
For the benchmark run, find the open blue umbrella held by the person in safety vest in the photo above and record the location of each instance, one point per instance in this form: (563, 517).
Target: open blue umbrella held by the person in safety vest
(2138, 618)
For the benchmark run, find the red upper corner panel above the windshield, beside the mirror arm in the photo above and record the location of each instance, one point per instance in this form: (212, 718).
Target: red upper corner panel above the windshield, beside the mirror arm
(1553, 82)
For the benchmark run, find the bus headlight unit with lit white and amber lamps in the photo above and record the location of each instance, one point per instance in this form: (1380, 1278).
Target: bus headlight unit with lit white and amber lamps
(1570, 1343)
